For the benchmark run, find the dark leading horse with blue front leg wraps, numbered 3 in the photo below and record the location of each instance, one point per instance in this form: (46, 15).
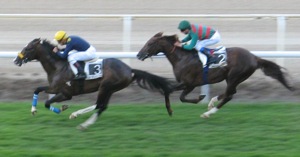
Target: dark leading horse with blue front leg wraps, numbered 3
(116, 76)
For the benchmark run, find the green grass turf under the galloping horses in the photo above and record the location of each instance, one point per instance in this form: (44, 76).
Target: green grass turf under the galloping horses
(237, 130)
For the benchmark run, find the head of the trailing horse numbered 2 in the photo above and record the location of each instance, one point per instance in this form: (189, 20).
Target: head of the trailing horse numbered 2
(158, 43)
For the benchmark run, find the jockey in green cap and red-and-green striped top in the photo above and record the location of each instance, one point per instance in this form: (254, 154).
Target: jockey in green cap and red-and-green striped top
(200, 36)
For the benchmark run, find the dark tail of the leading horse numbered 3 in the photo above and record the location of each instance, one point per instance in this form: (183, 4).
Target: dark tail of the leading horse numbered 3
(153, 82)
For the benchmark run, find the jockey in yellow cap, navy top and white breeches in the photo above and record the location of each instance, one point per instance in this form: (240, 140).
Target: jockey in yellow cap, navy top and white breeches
(77, 49)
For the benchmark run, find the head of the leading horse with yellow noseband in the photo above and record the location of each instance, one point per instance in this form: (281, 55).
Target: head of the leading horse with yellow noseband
(28, 53)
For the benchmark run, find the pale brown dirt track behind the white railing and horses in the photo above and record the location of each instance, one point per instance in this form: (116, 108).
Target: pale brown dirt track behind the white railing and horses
(18, 83)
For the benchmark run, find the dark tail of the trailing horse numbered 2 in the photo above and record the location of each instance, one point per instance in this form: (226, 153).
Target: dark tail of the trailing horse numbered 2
(273, 70)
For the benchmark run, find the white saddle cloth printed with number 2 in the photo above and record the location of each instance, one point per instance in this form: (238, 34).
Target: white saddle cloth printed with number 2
(220, 54)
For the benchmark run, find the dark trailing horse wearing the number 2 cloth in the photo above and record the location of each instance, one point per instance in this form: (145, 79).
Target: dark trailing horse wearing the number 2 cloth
(188, 69)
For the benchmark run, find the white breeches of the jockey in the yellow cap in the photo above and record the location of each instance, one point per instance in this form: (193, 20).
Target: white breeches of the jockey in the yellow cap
(89, 54)
